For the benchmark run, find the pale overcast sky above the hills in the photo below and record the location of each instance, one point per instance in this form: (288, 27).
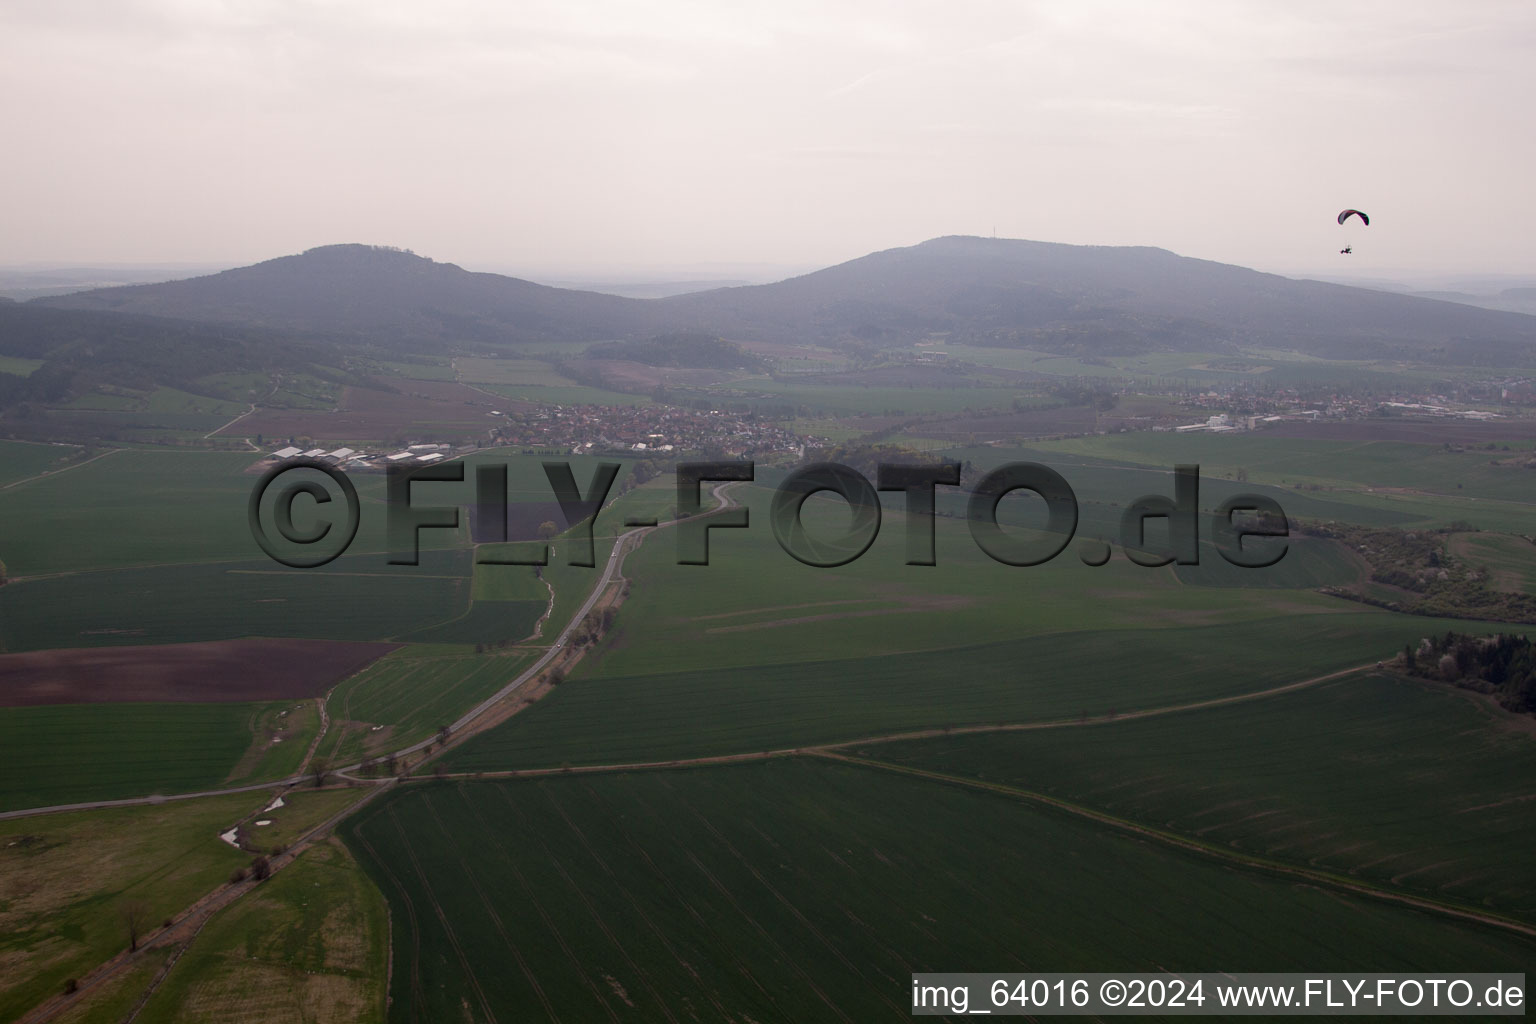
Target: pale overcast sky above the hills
(574, 136)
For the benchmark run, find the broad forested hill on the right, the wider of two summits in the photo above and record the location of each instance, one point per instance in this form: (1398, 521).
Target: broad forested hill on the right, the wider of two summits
(1097, 300)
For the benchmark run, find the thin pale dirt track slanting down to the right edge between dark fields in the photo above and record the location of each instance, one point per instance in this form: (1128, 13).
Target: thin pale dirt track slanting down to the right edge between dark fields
(1182, 842)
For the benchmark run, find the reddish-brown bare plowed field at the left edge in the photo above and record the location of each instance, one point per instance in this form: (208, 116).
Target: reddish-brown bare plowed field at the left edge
(223, 670)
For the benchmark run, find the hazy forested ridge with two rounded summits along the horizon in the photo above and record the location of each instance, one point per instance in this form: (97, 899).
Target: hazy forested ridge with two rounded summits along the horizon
(1085, 300)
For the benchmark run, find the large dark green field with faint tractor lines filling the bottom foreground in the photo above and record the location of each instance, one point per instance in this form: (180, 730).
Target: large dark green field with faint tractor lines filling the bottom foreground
(804, 891)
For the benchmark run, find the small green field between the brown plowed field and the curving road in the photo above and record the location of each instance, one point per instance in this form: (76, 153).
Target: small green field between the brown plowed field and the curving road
(408, 696)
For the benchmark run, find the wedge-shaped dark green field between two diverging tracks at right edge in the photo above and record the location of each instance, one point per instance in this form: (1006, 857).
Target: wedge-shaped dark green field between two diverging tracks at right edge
(1375, 776)
